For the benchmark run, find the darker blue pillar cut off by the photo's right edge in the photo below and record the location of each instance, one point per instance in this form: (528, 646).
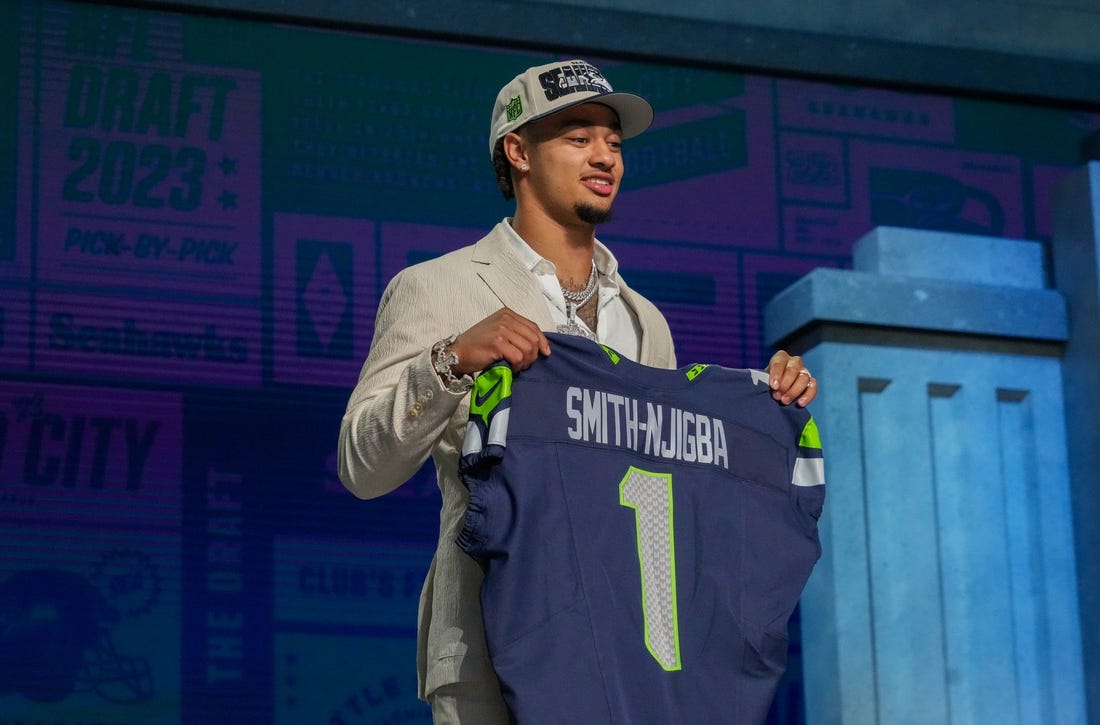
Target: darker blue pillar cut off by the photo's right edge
(1076, 248)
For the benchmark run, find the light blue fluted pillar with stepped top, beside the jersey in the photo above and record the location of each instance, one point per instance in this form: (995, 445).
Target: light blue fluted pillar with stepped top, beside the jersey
(948, 590)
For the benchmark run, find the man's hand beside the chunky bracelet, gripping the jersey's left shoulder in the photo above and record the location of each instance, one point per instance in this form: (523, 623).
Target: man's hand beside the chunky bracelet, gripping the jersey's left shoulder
(502, 336)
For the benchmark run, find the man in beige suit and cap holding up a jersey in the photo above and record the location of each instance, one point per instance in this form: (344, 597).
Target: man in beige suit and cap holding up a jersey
(556, 140)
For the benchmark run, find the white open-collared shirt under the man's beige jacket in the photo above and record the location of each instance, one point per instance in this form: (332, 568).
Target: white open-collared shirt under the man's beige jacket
(617, 325)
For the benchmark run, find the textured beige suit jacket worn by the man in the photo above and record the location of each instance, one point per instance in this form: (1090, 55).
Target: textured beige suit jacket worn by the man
(400, 414)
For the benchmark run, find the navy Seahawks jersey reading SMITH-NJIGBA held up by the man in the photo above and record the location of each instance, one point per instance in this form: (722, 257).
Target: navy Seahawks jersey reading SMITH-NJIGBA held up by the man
(645, 535)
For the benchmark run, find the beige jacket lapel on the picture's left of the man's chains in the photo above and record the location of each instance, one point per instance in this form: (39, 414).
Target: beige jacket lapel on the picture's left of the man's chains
(505, 276)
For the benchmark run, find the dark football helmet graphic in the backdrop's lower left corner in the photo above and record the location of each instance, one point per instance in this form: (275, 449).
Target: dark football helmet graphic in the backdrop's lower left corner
(56, 640)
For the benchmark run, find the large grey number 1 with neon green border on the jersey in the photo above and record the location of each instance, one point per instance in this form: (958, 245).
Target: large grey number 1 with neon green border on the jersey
(651, 497)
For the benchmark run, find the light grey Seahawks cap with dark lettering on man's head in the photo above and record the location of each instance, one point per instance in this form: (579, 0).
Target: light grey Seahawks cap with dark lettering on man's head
(554, 87)
